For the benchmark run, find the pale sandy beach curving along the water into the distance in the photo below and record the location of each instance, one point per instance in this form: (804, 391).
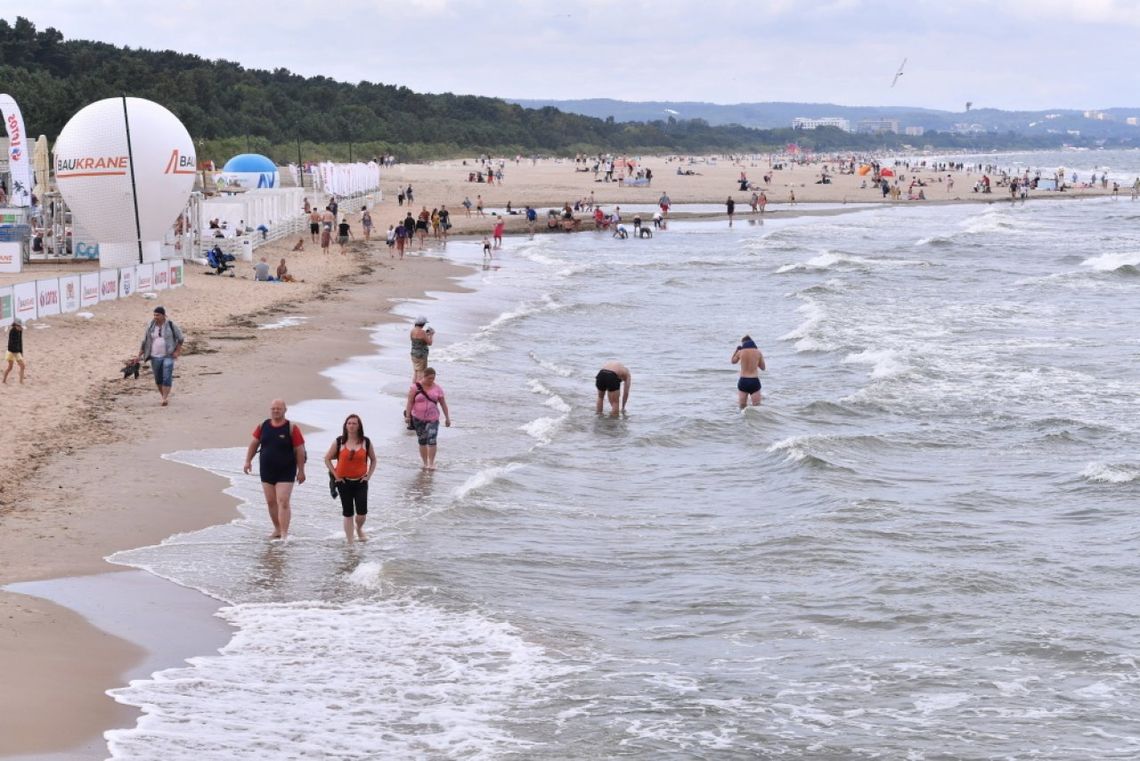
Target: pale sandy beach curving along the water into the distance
(85, 476)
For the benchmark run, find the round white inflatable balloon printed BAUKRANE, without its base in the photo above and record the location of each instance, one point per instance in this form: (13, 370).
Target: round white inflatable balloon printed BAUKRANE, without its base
(94, 169)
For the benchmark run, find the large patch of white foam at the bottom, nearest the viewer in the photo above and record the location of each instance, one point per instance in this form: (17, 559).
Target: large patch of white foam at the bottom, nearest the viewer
(292, 684)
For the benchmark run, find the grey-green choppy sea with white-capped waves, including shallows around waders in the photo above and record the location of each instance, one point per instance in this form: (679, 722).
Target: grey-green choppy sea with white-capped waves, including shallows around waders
(923, 546)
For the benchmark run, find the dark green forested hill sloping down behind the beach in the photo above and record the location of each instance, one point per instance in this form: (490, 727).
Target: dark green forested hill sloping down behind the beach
(229, 109)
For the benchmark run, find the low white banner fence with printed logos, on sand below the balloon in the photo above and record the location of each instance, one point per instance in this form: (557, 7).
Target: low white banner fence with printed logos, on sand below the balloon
(70, 293)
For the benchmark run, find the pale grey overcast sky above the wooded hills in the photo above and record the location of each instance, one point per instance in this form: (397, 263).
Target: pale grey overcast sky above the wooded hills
(1001, 54)
